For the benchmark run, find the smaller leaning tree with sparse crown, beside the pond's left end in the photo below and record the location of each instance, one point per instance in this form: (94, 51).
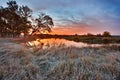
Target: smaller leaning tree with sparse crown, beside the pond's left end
(44, 23)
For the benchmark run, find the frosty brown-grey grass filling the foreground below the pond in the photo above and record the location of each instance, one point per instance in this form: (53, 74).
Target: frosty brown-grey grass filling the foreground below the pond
(59, 62)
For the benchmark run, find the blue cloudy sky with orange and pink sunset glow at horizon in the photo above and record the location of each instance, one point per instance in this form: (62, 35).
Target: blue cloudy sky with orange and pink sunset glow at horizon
(78, 16)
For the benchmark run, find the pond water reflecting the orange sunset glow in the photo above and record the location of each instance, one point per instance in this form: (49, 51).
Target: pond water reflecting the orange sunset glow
(44, 43)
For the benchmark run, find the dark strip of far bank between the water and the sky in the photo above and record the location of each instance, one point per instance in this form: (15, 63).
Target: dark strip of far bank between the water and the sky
(93, 39)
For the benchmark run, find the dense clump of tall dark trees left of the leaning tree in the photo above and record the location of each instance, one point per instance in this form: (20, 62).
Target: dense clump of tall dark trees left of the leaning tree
(13, 19)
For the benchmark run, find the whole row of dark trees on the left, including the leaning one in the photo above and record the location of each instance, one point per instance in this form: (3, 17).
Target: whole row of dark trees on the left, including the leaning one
(14, 20)
